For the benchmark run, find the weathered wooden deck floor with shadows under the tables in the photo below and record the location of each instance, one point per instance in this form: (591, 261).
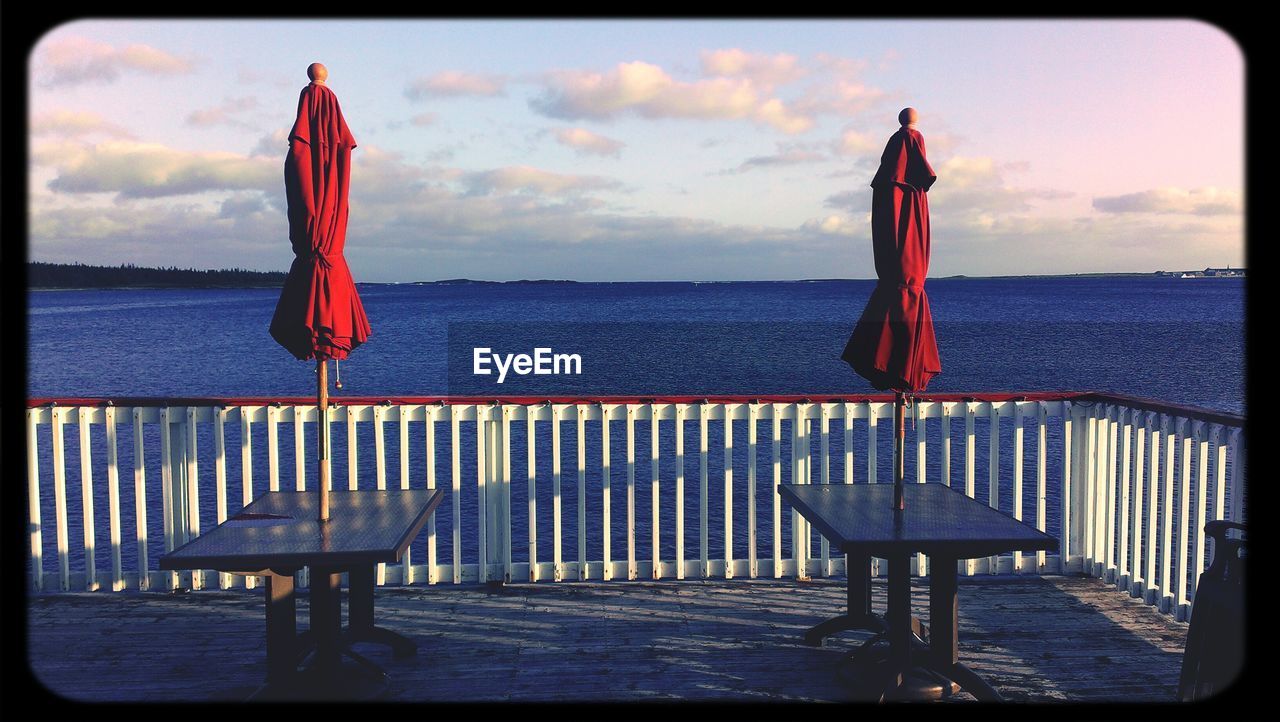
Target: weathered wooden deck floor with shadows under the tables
(1052, 639)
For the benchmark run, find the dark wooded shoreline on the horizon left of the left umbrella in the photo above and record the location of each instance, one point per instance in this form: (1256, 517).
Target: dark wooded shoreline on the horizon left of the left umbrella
(80, 276)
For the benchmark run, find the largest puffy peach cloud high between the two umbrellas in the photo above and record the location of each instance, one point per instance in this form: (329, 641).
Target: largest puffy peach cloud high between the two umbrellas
(647, 90)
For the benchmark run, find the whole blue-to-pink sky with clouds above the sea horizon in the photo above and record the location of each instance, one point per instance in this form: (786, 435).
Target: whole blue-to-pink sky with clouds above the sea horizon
(643, 150)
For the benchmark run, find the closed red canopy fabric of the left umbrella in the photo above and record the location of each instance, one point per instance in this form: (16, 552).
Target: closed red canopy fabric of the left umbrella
(319, 314)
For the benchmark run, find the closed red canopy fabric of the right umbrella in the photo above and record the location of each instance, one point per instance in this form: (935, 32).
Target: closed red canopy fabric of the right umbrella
(893, 346)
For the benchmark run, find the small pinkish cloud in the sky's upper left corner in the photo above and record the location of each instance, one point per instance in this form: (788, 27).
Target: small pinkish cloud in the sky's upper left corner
(75, 61)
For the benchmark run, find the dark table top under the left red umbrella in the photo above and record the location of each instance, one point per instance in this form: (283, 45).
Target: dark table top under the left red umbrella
(280, 532)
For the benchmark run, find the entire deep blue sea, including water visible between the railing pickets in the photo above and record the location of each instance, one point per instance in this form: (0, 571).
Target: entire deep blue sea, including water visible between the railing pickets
(1176, 341)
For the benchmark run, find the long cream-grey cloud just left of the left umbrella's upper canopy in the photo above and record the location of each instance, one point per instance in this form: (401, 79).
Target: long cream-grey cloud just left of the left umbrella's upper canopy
(148, 171)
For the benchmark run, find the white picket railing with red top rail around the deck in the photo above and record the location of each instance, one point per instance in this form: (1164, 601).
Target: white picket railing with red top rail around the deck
(1099, 470)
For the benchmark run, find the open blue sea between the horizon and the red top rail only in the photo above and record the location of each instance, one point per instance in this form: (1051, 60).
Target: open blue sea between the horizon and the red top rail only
(1171, 340)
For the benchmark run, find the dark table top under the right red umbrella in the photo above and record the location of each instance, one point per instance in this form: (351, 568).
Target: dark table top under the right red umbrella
(938, 520)
